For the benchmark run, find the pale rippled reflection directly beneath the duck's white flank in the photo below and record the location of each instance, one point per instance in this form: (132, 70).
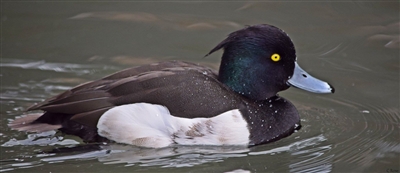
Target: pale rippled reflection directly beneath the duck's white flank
(180, 156)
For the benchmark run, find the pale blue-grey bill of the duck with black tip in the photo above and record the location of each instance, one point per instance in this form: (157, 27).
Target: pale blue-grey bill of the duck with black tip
(301, 79)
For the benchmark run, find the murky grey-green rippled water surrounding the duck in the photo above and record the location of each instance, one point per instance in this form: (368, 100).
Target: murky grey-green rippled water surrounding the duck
(50, 46)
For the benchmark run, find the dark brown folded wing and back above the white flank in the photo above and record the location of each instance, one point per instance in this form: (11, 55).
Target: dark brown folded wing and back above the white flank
(186, 89)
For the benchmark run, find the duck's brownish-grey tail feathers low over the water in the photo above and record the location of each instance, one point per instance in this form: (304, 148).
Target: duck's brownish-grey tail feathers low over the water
(27, 123)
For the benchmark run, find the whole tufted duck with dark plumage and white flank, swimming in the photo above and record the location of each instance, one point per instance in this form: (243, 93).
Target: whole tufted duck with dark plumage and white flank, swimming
(176, 102)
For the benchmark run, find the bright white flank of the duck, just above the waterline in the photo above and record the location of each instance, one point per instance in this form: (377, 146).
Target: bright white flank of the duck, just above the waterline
(150, 125)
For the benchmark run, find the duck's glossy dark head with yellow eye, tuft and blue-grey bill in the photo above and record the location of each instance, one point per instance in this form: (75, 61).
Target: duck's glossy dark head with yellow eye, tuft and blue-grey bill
(260, 60)
